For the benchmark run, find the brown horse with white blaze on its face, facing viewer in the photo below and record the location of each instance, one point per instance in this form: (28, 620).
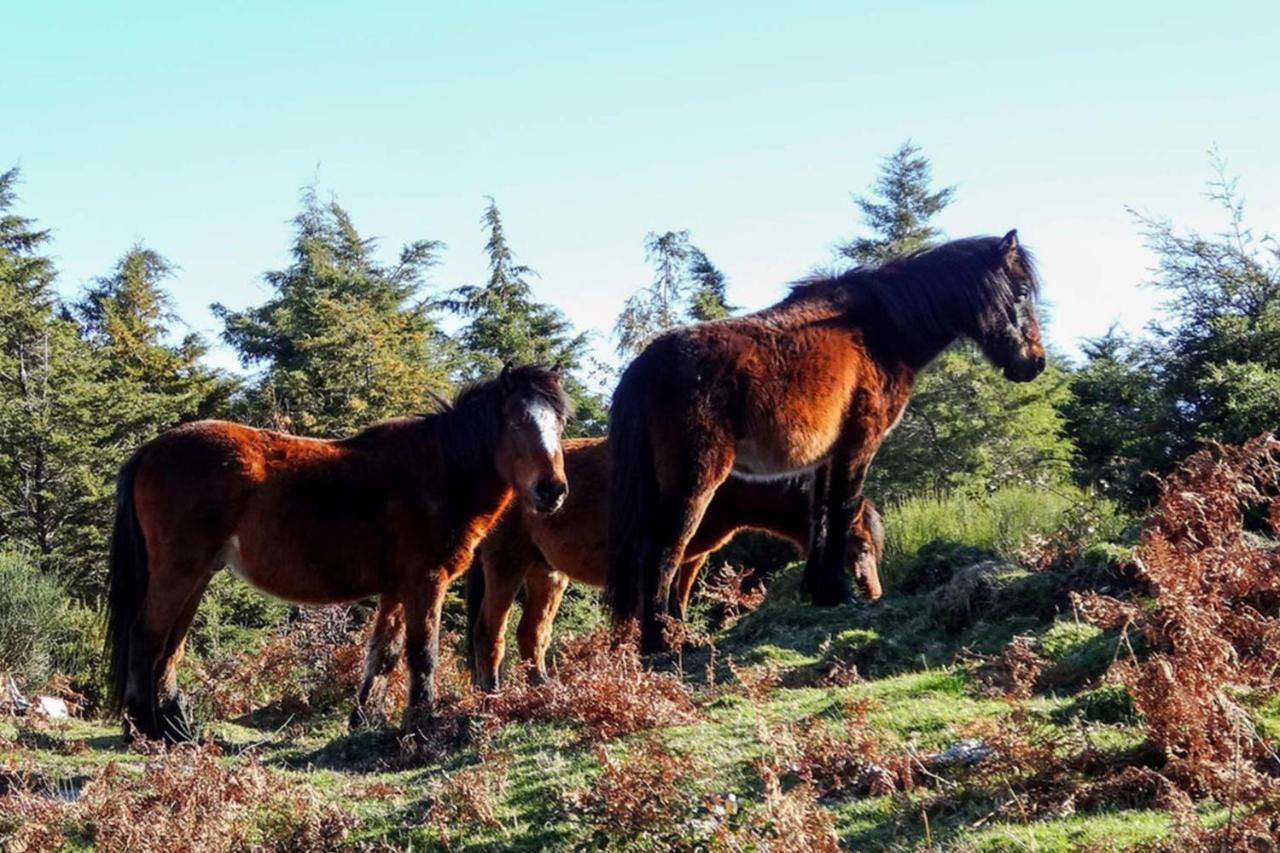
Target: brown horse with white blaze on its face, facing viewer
(394, 512)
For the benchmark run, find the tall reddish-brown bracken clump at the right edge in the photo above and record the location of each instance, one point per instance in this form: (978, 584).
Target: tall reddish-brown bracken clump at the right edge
(1213, 630)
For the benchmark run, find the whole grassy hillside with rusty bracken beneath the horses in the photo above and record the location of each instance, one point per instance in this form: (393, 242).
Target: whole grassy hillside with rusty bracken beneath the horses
(981, 705)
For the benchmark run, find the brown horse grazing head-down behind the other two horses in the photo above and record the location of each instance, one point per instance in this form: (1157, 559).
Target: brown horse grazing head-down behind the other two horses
(543, 554)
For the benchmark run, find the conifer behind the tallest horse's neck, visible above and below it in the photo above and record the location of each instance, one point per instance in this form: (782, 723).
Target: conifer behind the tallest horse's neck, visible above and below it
(966, 426)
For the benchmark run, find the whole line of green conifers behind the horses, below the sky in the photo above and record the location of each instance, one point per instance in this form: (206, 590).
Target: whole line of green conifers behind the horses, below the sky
(350, 337)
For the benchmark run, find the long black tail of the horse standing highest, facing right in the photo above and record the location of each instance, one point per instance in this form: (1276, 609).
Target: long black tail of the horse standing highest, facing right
(633, 498)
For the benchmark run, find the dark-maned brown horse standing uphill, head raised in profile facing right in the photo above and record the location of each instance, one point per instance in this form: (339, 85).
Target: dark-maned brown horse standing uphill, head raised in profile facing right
(811, 384)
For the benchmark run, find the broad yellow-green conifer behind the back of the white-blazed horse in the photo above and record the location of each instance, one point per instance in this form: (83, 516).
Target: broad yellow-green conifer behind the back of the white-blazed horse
(346, 340)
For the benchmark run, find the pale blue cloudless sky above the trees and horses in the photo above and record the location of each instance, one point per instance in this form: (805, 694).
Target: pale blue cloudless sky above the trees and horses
(194, 126)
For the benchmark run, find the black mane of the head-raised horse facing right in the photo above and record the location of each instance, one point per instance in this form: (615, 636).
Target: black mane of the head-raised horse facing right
(932, 294)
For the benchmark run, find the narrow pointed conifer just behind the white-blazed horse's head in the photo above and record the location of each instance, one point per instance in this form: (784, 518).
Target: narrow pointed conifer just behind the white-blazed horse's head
(506, 323)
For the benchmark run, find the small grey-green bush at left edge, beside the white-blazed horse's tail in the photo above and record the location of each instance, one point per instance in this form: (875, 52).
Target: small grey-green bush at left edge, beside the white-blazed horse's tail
(36, 622)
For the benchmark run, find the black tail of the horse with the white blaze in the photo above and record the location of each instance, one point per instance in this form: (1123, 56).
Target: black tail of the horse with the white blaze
(127, 581)
